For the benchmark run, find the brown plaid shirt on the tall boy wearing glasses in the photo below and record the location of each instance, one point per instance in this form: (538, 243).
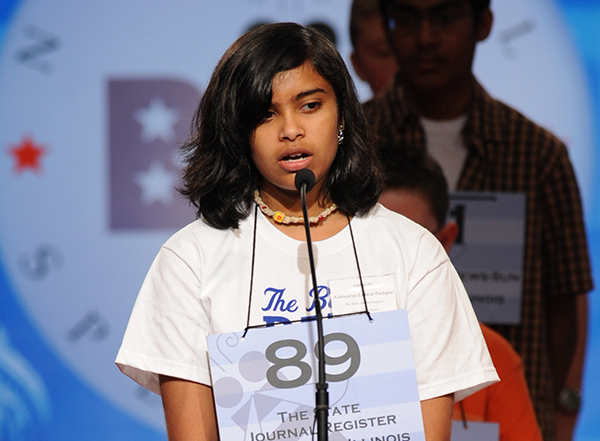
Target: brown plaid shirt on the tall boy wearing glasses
(509, 153)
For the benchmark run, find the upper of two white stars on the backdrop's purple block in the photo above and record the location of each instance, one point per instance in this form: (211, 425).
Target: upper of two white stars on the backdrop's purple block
(157, 121)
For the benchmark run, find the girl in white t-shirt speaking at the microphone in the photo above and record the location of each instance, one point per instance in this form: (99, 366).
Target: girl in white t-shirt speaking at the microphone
(280, 100)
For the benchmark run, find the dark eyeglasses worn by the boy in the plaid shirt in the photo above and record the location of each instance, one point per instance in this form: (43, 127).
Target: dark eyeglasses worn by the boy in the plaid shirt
(445, 17)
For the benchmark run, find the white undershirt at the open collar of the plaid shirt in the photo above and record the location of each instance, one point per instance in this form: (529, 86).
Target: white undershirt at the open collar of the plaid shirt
(444, 142)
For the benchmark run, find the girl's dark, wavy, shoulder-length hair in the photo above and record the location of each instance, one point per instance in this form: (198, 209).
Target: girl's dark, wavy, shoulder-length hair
(219, 177)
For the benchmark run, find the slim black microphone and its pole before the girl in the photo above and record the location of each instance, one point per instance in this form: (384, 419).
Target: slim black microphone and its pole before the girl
(305, 180)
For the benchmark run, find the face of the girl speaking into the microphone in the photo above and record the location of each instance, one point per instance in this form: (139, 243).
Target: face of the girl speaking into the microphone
(299, 131)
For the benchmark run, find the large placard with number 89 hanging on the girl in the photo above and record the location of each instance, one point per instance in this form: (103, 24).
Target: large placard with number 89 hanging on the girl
(264, 384)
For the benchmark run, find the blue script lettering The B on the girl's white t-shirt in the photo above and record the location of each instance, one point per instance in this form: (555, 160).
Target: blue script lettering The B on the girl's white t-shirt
(282, 308)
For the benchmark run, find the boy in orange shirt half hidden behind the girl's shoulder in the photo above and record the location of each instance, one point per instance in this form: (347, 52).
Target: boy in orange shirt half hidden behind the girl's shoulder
(416, 188)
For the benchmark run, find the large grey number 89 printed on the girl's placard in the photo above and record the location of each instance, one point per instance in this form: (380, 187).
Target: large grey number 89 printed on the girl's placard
(296, 364)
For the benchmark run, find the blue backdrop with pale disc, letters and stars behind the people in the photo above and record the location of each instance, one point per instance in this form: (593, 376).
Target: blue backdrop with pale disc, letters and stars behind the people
(70, 267)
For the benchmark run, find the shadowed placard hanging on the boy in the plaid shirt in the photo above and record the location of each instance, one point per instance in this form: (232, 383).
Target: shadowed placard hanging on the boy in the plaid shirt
(488, 252)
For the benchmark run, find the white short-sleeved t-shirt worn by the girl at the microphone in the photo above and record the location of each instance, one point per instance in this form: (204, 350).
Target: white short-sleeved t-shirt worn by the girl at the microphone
(200, 280)
